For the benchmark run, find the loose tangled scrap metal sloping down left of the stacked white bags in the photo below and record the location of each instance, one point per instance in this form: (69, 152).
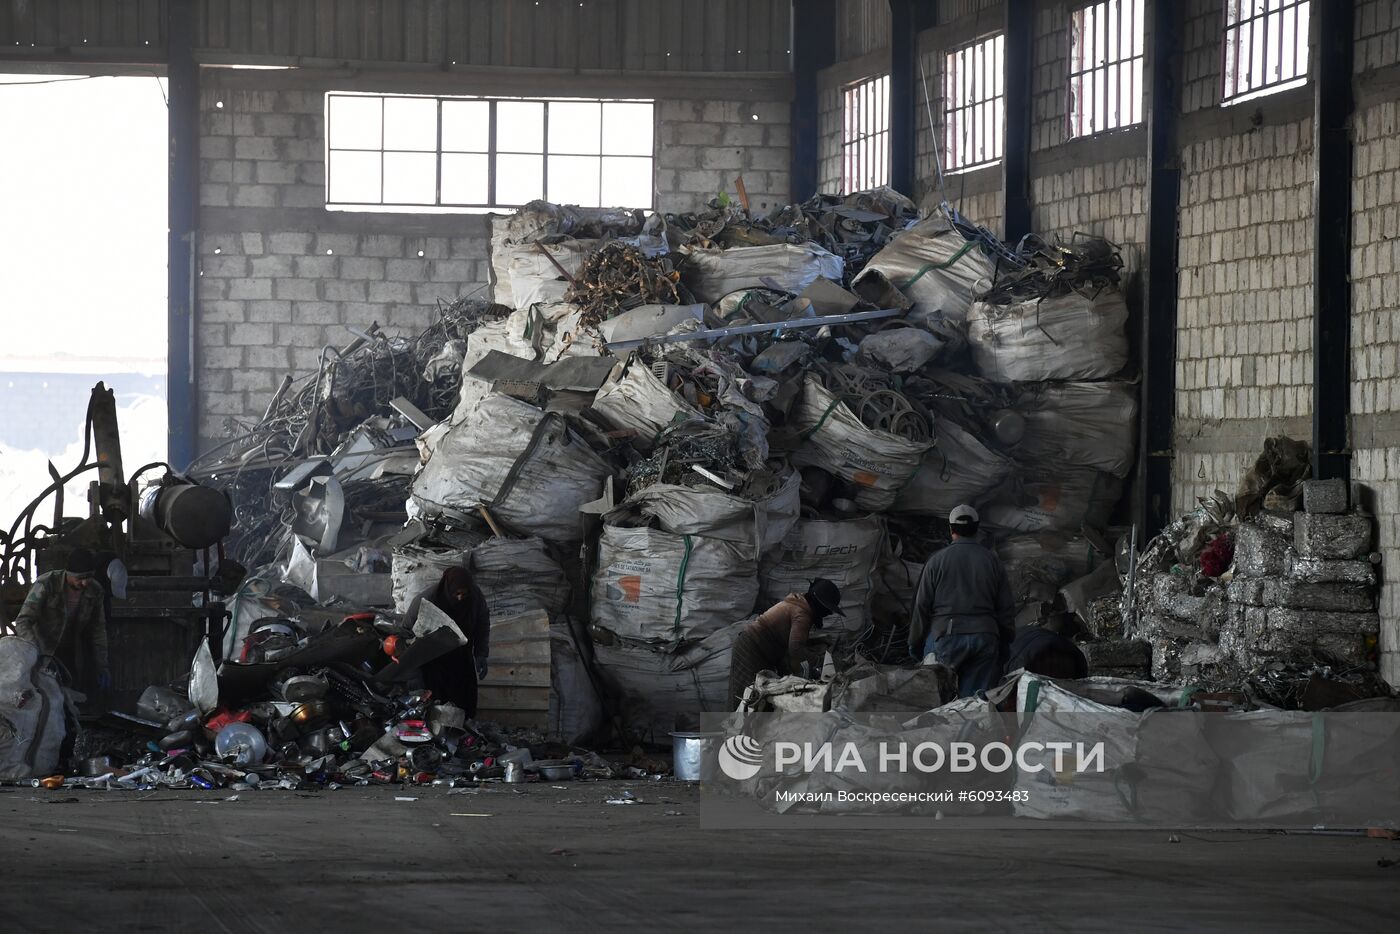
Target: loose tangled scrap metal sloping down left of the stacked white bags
(324, 475)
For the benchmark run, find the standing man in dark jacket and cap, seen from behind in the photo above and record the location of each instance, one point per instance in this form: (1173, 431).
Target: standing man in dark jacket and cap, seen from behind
(964, 611)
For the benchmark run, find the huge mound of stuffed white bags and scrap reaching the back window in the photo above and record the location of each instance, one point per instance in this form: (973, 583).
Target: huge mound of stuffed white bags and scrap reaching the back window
(685, 419)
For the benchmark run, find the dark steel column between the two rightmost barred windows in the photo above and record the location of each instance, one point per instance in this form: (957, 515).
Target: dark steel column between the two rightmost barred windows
(1153, 505)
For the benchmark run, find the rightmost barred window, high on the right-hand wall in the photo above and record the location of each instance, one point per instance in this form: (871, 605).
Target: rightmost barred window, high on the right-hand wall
(1266, 47)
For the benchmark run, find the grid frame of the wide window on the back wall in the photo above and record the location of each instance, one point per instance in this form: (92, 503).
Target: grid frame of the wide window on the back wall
(492, 153)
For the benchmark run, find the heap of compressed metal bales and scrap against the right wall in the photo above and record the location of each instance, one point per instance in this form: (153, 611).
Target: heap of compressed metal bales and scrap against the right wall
(1268, 596)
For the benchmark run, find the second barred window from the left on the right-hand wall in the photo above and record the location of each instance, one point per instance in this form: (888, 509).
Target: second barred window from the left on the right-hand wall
(975, 96)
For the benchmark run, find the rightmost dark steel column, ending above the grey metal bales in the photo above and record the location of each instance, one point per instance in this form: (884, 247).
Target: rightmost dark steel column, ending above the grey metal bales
(1332, 240)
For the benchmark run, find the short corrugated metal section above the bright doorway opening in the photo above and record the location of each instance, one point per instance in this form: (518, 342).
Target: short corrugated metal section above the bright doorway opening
(83, 25)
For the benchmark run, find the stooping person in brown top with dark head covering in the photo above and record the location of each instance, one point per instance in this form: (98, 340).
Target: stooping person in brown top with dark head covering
(778, 639)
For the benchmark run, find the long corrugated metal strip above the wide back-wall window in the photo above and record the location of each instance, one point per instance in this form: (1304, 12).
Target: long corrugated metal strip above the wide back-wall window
(636, 36)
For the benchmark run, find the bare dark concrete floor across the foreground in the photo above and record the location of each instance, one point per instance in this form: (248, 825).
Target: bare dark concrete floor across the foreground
(542, 859)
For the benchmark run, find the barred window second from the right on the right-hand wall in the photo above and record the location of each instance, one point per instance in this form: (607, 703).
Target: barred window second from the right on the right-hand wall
(1105, 67)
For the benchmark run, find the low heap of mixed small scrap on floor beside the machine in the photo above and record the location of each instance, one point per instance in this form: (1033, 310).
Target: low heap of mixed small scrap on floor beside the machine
(304, 705)
